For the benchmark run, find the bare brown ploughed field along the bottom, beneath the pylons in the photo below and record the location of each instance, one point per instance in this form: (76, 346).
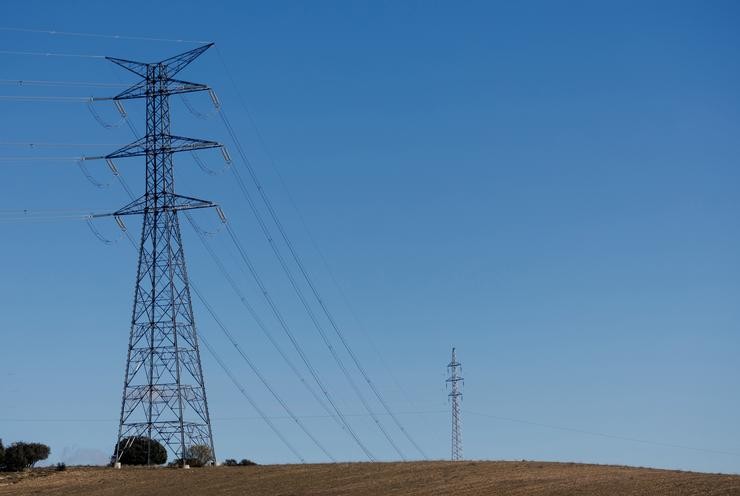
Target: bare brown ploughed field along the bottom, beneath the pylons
(377, 479)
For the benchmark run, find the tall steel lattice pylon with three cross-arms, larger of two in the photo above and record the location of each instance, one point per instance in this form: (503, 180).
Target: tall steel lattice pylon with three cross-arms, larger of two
(164, 395)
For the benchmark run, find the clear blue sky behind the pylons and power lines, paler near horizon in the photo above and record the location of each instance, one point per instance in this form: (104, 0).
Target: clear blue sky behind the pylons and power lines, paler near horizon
(552, 187)
